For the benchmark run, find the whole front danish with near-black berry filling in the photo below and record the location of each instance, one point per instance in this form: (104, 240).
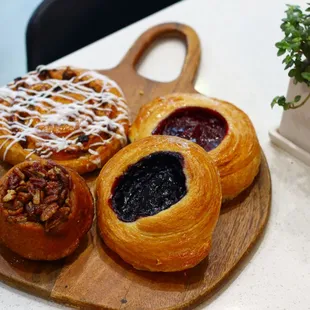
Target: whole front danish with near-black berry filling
(158, 201)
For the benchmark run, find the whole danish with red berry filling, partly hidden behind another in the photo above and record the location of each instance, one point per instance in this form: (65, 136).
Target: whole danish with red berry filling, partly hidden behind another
(222, 129)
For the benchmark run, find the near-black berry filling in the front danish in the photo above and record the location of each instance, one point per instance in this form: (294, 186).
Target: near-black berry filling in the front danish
(153, 184)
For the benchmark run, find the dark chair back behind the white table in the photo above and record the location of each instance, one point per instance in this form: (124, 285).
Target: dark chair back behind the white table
(59, 27)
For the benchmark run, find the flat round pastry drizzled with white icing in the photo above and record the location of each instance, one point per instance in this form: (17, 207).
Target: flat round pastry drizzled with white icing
(75, 117)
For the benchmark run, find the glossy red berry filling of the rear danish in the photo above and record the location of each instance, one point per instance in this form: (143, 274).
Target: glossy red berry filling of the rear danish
(202, 126)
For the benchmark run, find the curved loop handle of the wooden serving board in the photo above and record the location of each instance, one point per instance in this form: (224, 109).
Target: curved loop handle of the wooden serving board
(181, 31)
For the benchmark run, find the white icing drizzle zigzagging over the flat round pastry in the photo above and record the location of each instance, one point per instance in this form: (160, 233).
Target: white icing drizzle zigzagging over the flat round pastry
(81, 116)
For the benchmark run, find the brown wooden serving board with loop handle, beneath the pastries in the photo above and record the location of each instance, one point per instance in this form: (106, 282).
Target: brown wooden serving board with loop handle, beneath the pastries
(94, 276)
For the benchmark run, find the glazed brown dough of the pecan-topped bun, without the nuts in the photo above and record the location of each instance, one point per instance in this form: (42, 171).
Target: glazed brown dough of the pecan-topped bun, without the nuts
(31, 240)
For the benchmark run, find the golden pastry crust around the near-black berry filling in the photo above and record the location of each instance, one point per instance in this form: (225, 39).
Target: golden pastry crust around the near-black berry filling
(177, 238)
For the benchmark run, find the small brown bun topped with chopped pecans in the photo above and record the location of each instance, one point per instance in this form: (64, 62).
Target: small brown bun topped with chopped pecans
(45, 210)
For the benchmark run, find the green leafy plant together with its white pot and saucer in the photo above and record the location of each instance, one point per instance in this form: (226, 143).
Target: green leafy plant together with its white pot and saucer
(294, 131)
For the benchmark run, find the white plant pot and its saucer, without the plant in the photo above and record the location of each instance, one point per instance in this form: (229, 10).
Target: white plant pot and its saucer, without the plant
(293, 135)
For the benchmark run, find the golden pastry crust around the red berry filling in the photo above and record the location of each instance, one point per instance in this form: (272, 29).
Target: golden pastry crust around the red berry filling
(237, 157)
